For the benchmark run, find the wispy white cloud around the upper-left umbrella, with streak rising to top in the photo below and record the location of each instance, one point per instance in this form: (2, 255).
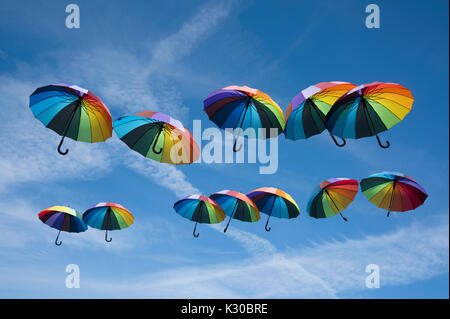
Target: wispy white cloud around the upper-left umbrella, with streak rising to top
(125, 82)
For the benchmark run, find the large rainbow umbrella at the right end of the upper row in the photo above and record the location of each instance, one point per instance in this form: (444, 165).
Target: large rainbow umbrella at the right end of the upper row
(369, 109)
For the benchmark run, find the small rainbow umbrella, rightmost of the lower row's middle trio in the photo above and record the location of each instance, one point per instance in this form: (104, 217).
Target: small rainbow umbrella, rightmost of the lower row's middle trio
(274, 202)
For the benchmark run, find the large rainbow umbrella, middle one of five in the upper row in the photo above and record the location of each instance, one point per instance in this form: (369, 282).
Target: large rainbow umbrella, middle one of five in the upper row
(243, 107)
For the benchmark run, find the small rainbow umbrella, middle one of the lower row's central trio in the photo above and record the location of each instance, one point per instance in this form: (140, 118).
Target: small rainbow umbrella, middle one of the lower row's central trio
(237, 206)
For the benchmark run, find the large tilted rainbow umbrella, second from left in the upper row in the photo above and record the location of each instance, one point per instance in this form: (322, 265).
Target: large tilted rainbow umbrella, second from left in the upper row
(157, 136)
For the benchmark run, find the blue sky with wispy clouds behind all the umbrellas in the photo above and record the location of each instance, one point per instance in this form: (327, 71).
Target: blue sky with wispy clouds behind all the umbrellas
(167, 56)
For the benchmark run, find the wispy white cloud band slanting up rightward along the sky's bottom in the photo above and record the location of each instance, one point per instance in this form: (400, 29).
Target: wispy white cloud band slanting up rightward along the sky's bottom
(327, 270)
